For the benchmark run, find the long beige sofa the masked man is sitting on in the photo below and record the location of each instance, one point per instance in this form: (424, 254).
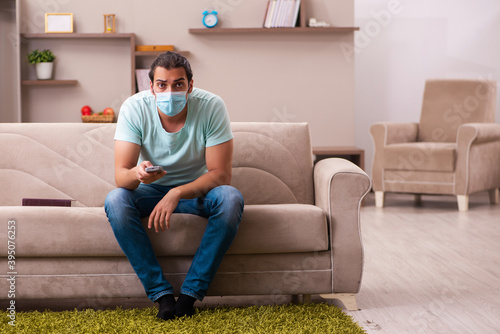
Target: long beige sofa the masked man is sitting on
(300, 232)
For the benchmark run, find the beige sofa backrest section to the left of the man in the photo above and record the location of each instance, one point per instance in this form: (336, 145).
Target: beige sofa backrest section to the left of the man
(56, 160)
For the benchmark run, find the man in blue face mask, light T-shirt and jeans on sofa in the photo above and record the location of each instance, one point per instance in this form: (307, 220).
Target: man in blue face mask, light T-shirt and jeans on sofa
(187, 132)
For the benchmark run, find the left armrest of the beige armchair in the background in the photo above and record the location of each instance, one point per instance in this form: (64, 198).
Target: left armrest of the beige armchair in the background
(384, 134)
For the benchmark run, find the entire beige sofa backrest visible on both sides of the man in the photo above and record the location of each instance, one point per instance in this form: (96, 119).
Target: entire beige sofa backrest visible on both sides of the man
(272, 162)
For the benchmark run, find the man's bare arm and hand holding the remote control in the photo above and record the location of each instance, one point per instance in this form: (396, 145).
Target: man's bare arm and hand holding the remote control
(127, 173)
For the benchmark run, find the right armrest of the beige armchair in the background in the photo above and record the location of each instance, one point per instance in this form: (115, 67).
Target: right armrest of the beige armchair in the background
(478, 157)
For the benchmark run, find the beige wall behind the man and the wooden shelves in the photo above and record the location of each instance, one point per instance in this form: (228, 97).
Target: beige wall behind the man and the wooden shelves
(262, 77)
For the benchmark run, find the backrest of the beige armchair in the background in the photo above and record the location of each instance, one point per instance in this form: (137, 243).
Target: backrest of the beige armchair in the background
(447, 104)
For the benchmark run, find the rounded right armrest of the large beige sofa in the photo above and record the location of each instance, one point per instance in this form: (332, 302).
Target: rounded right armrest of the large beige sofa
(340, 187)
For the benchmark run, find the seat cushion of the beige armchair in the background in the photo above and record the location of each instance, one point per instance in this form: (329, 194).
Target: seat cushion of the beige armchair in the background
(427, 156)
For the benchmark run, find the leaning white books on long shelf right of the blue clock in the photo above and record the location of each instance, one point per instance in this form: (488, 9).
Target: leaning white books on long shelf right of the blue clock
(282, 13)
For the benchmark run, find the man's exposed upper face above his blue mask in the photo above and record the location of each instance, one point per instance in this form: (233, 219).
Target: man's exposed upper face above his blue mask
(173, 80)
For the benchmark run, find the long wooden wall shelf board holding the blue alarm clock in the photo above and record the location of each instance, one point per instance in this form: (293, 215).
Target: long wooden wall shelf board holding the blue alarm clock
(272, 30)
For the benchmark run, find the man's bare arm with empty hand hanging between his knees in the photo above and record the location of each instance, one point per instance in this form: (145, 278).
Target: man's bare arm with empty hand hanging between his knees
(219, 164)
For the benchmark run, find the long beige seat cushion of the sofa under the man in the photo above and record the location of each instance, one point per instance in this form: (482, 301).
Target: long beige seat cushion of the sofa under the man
(50, 231)
